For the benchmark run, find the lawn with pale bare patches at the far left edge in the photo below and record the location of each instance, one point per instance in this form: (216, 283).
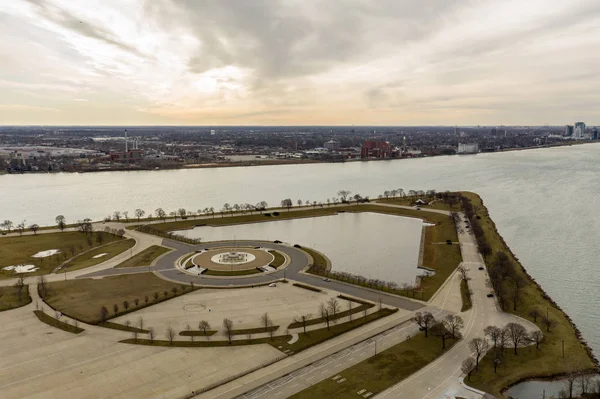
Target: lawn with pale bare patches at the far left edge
(17, 250)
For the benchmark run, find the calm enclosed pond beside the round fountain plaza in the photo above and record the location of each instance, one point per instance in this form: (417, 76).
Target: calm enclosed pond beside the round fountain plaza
(351, 241)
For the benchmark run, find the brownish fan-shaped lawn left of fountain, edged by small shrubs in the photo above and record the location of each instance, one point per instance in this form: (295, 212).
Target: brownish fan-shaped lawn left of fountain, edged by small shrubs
(82, 299)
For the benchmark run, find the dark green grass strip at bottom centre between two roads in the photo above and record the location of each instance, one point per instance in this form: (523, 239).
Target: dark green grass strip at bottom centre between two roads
(381, 371)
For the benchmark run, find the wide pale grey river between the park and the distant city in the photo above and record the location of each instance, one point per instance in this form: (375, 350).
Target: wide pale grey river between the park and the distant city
(545, 203)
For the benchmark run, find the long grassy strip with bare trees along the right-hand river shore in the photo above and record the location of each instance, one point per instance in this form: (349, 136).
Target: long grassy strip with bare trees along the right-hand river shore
(529, 363)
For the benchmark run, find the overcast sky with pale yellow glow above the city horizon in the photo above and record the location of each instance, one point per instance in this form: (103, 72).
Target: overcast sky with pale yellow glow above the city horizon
(290, 62)
